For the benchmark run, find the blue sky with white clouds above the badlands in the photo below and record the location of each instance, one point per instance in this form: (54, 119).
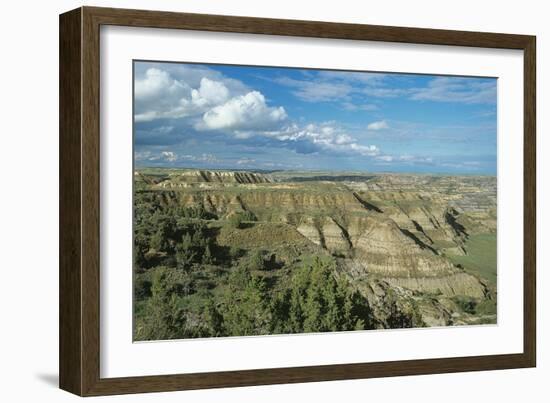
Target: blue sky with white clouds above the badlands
(239, 117)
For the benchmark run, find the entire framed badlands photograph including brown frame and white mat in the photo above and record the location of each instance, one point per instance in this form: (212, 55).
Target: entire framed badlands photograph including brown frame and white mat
(249, 201)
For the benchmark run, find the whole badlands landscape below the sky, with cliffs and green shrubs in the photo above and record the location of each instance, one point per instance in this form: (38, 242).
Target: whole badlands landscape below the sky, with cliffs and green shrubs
(234, 253)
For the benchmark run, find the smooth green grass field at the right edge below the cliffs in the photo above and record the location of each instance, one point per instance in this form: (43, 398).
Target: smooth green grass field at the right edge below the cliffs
(482, 257)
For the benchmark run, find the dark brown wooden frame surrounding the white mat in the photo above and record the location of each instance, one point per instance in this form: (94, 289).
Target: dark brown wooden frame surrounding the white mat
(79, 349)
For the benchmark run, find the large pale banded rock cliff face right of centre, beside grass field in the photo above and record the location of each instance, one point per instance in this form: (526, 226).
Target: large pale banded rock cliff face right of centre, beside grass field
(382, 250)
